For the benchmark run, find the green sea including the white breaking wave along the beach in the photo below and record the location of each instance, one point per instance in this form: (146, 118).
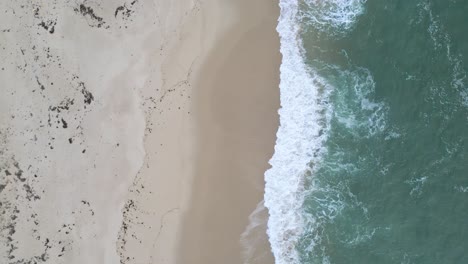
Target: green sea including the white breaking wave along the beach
(371, 160)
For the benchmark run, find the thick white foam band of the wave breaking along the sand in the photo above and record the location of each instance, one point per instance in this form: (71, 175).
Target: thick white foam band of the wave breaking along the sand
(304, 119)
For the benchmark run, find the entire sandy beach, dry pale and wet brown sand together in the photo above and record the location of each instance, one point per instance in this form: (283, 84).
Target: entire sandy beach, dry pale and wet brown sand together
(135, 131)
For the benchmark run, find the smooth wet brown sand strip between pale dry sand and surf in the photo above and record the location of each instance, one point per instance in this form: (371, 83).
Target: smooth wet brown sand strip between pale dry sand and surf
(236, 98)
